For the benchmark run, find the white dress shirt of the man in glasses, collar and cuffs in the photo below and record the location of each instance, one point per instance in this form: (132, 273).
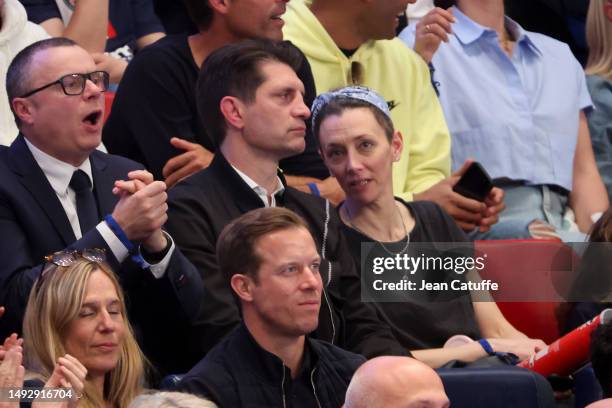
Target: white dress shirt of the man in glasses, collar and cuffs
(59, 174)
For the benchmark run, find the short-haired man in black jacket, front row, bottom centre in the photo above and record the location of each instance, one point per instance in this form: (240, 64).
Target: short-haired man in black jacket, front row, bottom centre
(270, 260)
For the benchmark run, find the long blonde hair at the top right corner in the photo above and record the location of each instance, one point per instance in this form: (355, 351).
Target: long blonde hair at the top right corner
(599, 40)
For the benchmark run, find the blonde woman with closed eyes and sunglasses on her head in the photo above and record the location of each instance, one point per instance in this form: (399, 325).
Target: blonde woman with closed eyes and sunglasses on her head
(76, 312)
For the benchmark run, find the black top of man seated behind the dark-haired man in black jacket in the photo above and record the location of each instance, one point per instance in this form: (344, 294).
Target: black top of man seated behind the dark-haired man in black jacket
(156, 101)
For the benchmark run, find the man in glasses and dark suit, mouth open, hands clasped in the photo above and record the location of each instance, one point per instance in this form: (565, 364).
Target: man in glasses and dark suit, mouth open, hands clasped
(58, 192)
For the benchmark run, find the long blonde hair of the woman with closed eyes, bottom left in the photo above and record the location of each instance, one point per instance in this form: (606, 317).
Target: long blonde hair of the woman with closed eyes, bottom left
(53, 304)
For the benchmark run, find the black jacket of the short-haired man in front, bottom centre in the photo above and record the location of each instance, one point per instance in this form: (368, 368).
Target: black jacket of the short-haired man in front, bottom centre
(239, 373)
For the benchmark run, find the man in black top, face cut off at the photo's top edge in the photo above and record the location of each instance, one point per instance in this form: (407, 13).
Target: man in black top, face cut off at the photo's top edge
(154, 118)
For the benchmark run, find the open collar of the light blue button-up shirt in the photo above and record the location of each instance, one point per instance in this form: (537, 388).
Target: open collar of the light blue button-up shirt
(468, 31)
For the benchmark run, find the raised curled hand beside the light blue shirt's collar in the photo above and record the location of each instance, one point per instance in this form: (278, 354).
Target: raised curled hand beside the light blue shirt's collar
(431, 30)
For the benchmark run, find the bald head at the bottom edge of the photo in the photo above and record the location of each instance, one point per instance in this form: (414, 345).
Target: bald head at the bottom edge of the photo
(395, 382)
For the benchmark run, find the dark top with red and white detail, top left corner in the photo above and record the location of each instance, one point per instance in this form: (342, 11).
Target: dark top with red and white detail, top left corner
(129, 20)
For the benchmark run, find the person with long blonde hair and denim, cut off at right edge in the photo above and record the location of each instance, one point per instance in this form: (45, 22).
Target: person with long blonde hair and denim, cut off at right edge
(599, 82)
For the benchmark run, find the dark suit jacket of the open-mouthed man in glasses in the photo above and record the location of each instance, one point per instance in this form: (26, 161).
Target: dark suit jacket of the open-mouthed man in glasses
(33, 224)
